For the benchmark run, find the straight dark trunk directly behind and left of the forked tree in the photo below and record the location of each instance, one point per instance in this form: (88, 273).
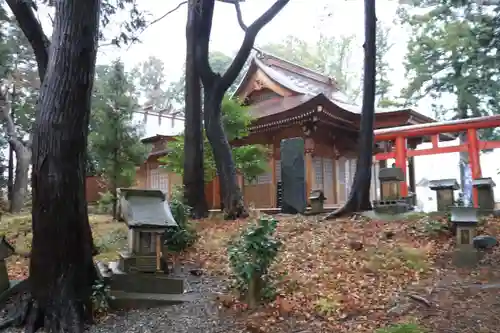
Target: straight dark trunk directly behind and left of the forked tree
(193, 178)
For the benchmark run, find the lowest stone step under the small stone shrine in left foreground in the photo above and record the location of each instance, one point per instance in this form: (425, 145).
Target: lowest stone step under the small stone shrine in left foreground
(127, 300)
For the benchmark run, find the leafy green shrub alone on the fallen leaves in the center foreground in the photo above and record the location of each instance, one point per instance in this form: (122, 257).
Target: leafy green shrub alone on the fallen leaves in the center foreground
(250, 257)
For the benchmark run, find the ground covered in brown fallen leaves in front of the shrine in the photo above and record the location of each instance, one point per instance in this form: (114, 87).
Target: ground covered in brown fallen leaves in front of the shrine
(345, 275)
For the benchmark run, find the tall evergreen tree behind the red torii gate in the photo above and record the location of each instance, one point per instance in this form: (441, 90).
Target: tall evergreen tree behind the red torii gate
(450, 57)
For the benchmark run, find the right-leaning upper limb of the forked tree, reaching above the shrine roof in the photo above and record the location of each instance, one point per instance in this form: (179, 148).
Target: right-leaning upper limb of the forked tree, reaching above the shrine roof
(248, 42)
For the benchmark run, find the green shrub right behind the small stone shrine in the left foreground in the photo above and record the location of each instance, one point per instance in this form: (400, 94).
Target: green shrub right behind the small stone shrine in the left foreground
(184, 236)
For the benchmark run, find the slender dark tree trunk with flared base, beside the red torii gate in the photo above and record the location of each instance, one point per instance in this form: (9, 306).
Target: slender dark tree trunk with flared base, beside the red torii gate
(359, 197)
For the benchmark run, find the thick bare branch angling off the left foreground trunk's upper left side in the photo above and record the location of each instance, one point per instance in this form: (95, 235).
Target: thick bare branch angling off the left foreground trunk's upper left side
(33, 31)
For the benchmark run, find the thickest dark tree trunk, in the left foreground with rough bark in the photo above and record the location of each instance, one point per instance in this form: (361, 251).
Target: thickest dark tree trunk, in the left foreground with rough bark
(61, 266)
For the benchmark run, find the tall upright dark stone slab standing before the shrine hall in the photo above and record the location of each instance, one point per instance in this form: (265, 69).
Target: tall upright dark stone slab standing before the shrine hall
(293, 176)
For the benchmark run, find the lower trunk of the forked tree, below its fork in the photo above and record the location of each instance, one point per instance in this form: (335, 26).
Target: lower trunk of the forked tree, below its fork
(231, 197)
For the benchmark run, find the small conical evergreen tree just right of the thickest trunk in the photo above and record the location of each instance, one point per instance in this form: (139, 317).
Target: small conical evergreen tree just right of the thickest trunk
(114, 140)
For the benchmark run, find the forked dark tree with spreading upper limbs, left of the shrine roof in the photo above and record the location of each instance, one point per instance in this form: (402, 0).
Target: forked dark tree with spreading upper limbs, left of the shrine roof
(215, 86)
